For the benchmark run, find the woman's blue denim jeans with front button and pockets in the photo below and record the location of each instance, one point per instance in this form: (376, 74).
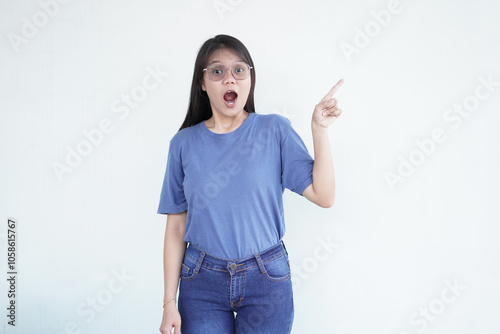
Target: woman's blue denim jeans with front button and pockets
(252, 295)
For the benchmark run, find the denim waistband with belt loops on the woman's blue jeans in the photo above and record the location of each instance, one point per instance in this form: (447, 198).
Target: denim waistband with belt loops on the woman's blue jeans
(209, 261)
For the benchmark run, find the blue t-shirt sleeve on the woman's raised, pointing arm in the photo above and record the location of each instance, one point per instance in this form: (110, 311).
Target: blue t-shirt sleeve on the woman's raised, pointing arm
(296, 162)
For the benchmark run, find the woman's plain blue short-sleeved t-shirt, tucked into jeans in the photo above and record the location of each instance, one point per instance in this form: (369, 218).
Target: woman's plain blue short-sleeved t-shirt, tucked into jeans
(232, 184)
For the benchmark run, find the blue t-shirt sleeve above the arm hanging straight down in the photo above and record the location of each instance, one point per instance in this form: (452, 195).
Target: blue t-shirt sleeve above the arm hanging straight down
(172, 199)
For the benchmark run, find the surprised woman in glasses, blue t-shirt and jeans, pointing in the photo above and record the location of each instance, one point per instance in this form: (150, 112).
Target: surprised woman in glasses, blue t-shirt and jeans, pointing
(226, 172)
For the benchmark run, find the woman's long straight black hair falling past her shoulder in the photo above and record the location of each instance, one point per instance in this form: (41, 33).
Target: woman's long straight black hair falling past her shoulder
(199, 104)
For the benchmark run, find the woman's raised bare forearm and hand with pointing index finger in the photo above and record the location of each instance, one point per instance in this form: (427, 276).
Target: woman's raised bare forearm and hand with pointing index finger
(322, 190)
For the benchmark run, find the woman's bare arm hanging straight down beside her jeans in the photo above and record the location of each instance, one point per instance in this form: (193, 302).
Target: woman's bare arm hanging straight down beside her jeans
(173, 254)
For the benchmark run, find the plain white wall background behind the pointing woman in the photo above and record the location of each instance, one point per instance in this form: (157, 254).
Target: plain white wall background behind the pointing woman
(395, 247)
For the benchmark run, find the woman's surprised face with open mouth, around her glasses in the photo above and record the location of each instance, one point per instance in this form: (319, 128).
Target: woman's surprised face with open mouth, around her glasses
(222, 100)
